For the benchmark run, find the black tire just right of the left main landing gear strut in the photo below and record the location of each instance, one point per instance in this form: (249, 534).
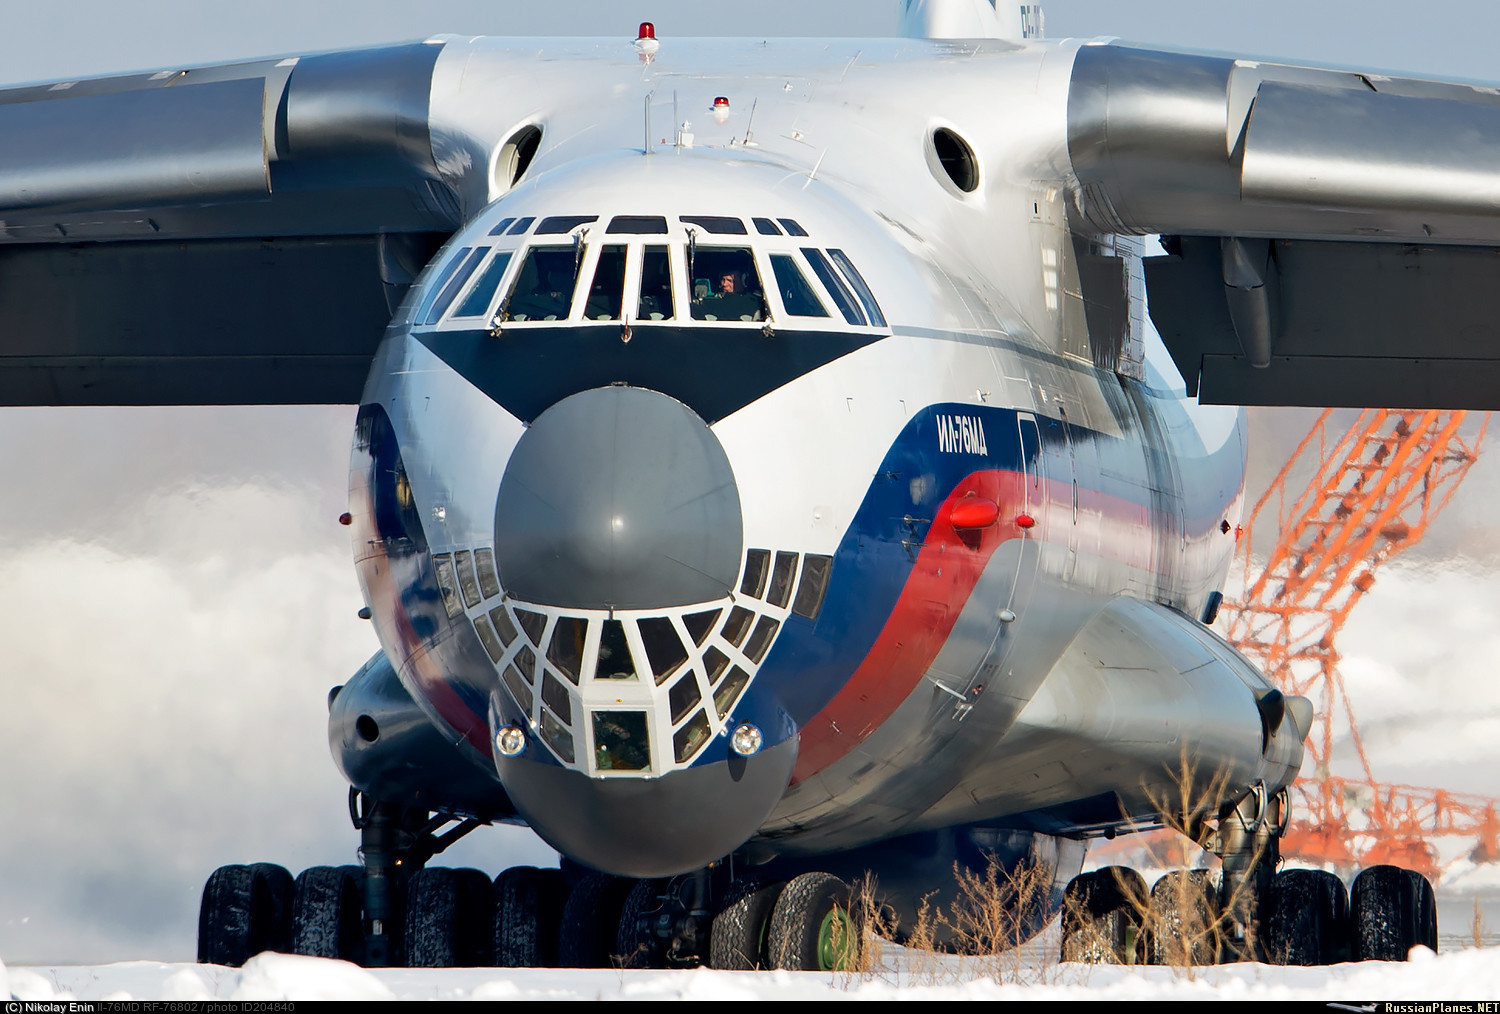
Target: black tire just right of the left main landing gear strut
(451, 919)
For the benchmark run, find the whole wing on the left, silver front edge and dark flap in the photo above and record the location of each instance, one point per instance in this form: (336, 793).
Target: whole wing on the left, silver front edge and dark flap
(233, 235)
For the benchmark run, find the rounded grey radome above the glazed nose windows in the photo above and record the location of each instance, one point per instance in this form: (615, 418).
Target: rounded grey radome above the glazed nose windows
(619, 499)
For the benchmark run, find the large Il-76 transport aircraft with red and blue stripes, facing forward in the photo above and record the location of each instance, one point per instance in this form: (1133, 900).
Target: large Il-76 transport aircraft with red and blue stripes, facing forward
(767, 472)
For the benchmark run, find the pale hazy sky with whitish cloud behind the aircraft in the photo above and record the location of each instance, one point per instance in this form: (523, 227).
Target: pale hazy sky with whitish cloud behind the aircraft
(176, 598)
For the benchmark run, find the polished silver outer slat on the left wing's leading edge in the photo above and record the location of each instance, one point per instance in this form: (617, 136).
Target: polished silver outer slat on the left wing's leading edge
(136, 149)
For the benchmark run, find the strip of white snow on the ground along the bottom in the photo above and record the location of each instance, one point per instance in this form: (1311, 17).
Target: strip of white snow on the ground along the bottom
(1460, 976)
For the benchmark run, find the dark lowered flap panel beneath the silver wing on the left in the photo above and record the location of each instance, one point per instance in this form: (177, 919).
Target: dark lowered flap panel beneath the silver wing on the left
(212, 322)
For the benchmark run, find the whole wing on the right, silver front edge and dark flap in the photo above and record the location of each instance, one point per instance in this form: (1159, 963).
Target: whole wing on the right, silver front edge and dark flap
(1333, 238)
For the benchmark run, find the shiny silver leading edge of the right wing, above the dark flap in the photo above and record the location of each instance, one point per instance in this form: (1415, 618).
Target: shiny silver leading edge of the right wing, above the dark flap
(1210, 146)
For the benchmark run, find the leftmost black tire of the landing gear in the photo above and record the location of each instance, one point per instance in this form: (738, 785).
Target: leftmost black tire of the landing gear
(245, 910)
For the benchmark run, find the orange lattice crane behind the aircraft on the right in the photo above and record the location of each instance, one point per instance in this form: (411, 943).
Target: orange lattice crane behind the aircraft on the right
(1375, 491)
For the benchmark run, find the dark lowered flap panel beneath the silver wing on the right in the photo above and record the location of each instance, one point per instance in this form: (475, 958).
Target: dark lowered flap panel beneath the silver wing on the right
(1358, 325)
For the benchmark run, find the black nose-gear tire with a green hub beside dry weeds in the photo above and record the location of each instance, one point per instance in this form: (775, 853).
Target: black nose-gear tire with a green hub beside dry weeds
(814, 928)
